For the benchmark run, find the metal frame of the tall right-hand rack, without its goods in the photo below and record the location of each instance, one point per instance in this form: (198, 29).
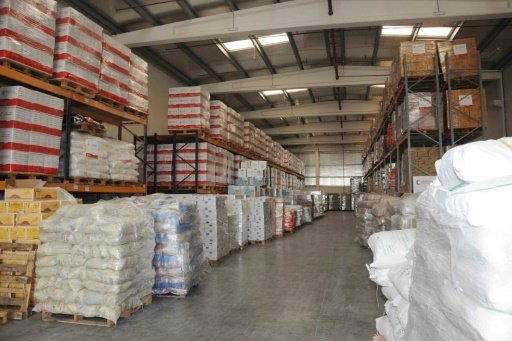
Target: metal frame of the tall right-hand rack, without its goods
(412, 137)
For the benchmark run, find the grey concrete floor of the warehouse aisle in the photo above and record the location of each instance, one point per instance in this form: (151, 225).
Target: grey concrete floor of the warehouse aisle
(311, 285)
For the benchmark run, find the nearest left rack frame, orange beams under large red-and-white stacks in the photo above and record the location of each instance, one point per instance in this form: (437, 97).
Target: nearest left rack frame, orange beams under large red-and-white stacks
(77, 103)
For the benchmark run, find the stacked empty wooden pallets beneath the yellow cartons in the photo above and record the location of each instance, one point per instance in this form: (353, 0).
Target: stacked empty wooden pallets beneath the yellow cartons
(17, 263)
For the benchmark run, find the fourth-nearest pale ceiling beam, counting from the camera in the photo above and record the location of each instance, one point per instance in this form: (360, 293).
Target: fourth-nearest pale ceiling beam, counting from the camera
(323, 127)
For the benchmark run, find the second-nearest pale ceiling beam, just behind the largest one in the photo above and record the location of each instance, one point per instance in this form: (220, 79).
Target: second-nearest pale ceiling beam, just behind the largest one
(310, 78)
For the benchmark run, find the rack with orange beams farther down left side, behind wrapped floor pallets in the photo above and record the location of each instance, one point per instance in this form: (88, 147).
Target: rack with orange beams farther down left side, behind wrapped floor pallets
(196, 137)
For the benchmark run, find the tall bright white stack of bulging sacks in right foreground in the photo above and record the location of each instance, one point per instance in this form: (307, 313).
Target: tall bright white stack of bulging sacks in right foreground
(460, 278)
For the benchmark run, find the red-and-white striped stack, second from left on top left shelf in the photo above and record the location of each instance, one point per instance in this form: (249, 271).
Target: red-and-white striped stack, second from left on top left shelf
(78, 48)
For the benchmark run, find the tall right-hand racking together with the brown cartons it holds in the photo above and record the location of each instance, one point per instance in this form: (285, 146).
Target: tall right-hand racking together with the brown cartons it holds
(423, 113)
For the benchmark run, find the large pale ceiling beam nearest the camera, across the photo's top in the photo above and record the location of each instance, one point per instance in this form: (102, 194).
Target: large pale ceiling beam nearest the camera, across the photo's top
(308, 15)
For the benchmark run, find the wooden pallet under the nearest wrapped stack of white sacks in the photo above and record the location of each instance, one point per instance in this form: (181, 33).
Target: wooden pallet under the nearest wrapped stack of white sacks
(93, 321)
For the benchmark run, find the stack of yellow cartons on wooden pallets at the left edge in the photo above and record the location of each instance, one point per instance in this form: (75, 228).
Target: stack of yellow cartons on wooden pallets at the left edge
(24, 209)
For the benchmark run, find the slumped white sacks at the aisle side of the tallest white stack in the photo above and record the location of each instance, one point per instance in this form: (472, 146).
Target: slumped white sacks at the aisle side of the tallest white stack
(392, 270)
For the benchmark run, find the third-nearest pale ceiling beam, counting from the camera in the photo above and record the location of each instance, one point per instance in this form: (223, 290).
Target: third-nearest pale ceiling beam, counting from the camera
(349, 108)
